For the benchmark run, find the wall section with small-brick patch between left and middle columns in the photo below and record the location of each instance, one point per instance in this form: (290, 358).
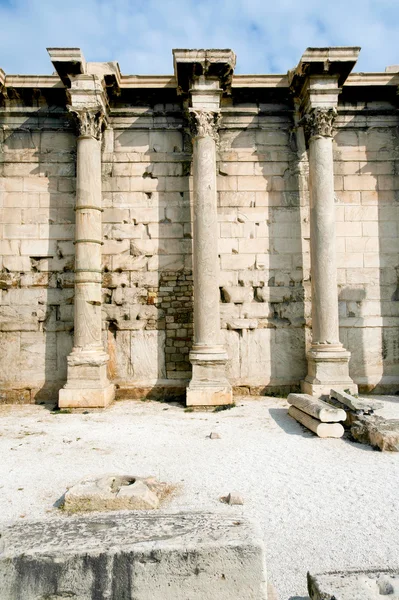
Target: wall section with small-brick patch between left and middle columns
(147, 252)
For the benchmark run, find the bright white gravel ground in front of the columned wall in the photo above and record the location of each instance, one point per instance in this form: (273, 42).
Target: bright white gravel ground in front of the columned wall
(321, 504)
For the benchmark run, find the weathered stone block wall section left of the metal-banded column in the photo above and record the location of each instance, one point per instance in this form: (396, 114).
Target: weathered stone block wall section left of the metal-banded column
(38, 257)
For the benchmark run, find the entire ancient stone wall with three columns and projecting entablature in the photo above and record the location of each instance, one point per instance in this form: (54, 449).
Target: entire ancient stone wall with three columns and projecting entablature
(199, 233)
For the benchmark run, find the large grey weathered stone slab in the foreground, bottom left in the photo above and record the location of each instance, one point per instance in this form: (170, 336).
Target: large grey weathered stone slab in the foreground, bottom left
(128, 556)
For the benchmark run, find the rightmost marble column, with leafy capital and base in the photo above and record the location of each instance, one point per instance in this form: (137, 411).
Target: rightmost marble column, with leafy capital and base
(328, 361)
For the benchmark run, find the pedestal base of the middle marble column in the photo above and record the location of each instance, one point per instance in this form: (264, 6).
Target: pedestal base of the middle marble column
(209, 385)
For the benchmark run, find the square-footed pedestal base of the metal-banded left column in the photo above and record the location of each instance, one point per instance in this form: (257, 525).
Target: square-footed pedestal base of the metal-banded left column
(87, 382)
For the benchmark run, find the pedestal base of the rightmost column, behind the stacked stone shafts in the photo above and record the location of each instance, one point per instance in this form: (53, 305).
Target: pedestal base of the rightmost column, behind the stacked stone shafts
(328, 369)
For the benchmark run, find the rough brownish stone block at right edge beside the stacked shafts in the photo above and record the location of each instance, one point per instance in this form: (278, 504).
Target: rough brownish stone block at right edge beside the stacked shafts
(376, 431)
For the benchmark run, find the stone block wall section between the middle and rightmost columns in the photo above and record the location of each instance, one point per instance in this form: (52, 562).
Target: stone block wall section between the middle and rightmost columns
(263, 208)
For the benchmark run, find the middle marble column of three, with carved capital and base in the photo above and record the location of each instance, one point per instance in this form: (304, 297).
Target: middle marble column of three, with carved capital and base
(208, 357)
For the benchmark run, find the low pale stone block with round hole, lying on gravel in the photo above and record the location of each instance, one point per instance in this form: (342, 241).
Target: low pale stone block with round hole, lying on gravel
(115, 492)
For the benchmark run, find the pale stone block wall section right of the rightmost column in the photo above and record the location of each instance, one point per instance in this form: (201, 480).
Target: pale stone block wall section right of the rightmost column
(368, 252)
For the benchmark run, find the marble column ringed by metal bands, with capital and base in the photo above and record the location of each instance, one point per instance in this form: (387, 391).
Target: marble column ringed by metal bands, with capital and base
(87, 382)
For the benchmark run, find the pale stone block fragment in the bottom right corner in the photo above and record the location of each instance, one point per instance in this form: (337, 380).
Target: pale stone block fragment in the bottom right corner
(354, 585)
